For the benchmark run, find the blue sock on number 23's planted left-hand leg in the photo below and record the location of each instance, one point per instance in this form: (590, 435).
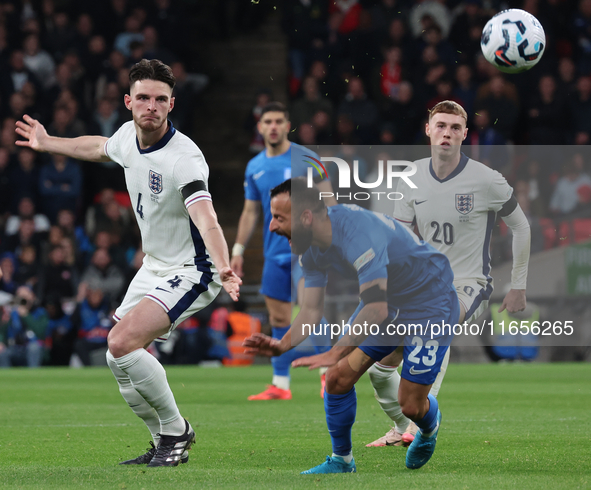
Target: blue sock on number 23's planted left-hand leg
(340, 417)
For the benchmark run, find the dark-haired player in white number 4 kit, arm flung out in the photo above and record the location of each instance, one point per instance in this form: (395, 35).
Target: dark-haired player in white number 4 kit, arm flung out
(186, 262)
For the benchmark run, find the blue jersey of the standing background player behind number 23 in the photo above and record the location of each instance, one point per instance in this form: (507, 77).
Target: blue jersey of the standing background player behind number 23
(263, 173)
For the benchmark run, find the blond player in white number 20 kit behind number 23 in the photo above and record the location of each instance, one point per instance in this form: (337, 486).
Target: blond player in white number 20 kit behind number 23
(454, 206)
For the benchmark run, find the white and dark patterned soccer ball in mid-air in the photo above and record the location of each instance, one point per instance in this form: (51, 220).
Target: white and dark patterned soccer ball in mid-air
(513, 41)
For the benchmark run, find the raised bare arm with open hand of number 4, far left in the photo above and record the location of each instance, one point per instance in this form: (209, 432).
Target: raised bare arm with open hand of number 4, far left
(89, 148)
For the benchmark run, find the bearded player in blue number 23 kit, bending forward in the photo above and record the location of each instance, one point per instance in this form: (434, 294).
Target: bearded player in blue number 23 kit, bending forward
(403, 281)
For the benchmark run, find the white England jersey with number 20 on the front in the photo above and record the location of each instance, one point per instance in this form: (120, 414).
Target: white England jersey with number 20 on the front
(457, 214)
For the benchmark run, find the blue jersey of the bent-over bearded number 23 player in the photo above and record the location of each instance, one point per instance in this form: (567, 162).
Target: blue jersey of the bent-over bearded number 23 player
(369, 246)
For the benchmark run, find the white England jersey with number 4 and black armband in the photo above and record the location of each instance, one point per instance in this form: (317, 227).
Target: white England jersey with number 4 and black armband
(155, 180)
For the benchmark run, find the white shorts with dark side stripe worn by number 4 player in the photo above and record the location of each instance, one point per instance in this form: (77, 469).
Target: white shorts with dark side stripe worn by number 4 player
(181, 293)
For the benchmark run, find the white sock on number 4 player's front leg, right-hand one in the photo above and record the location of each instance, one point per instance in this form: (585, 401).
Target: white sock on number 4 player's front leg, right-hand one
(148, 378)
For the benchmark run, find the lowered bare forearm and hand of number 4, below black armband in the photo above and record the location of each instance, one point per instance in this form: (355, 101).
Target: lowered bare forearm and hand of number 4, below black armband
(206, 221)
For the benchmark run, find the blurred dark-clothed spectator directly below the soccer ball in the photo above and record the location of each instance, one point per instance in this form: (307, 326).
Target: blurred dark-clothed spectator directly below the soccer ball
(500, 99)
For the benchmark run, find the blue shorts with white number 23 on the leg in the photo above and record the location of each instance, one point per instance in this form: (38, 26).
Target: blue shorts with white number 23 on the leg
(423, 351)
